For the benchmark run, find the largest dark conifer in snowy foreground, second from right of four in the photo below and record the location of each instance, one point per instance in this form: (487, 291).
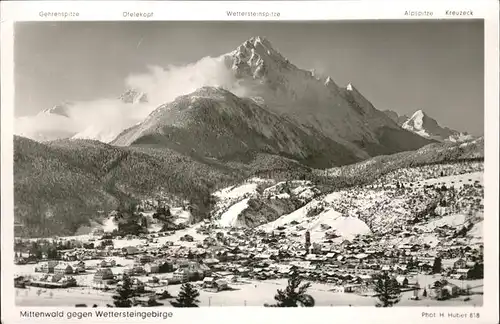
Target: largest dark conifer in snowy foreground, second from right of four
(294, 294)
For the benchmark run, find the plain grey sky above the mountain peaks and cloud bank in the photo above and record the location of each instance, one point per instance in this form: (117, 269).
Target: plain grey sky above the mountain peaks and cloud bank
(404, 66)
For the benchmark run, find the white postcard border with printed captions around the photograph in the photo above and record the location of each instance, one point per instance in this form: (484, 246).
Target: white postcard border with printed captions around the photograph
(299, 10)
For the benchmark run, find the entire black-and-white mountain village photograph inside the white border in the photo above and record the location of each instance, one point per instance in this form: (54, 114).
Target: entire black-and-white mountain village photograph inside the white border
(249, 163)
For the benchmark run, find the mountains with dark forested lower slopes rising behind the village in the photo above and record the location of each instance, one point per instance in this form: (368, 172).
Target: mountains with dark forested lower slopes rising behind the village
(275, 120)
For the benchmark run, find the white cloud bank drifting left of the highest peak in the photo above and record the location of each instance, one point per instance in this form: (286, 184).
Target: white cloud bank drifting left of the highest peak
(104, 119)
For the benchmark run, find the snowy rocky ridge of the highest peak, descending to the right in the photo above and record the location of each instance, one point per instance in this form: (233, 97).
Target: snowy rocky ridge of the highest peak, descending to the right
(318, 102)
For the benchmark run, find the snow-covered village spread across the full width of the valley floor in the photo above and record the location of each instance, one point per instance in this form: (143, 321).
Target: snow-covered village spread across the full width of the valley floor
(244, 256)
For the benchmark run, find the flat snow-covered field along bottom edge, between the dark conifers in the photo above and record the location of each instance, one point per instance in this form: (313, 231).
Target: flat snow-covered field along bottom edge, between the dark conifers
(254, 293)
